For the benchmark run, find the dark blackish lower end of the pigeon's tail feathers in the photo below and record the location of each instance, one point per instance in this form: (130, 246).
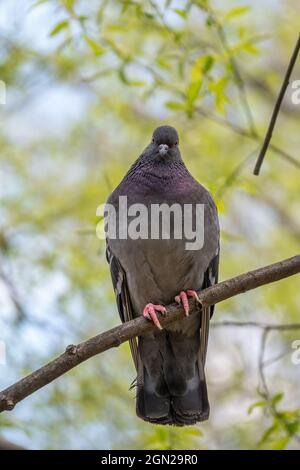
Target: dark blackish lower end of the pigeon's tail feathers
(180, 410)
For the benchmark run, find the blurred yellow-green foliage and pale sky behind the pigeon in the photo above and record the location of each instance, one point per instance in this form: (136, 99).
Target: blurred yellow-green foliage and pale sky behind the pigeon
(87, 82)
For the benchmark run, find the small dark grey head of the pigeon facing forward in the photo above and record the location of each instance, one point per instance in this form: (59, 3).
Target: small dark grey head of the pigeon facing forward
(165, 143)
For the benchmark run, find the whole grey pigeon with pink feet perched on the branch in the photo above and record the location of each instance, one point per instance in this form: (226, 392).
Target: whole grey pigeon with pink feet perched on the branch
(149, 273)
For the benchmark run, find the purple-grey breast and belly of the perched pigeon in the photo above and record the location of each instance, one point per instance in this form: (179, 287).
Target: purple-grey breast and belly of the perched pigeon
(157, 269)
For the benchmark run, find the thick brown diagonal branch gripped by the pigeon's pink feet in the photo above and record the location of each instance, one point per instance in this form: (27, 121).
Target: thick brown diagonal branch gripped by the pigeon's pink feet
(75, 355)
